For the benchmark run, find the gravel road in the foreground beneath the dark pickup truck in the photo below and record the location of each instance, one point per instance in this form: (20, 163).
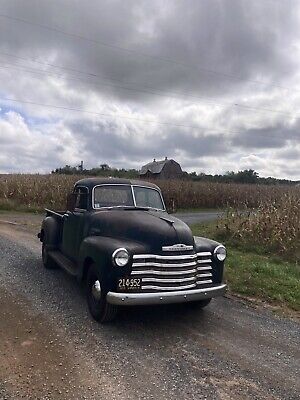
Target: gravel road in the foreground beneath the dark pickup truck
(51, 349)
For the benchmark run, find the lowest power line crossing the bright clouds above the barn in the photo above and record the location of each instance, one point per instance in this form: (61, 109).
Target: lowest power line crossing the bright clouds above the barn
(121, 116)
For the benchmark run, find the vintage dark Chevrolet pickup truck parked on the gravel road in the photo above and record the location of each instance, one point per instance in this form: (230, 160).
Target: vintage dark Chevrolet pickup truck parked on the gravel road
(118, 239)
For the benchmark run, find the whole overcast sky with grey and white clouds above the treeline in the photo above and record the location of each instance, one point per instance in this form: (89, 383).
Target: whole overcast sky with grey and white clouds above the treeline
(214, 84)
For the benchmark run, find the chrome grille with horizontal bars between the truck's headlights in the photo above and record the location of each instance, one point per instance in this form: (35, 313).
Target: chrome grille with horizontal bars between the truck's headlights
(172, 272)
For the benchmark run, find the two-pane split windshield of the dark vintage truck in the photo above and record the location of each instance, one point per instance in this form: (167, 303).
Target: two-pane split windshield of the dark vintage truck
(127, 196)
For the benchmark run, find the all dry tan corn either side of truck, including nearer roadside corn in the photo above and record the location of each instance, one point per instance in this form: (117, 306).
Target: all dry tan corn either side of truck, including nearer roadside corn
(266, 215)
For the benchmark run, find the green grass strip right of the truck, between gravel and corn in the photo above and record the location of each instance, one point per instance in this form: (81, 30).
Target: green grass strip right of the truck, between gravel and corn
(252, 272)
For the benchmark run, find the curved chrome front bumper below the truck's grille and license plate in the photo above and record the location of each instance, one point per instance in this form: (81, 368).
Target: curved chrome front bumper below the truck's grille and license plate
(180, 296)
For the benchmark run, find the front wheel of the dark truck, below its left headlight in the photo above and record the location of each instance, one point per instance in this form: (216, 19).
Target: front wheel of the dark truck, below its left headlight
(99, 308)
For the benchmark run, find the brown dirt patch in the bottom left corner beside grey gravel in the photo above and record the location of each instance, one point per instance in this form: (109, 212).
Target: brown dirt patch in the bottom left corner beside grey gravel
(37, 361)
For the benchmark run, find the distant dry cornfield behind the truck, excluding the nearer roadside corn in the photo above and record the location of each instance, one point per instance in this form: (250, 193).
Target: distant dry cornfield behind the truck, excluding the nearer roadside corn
(35, 192)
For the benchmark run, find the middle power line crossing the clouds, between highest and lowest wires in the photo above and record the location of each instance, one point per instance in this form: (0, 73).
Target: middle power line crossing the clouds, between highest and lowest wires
(160, 94)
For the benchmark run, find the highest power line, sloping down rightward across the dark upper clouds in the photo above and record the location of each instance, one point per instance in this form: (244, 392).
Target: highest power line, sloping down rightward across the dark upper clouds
(132, 51)
